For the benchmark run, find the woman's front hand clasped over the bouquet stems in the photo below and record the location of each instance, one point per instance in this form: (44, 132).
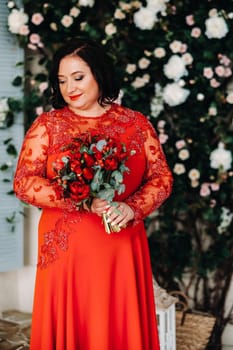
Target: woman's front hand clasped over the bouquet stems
(120, 215)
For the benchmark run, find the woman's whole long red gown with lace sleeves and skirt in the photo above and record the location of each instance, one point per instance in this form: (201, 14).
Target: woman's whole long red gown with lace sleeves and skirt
(93, 290)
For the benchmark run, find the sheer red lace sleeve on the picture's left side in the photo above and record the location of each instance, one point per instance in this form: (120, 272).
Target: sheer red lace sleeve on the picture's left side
(30, 182)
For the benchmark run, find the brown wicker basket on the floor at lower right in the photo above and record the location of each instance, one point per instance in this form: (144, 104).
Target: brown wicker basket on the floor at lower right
(193, 329)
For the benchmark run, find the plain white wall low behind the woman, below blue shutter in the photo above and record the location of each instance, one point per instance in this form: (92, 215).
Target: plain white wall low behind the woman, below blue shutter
(17, 287)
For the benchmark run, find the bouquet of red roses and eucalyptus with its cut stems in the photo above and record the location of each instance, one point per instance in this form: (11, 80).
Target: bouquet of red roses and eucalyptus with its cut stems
(91, 166)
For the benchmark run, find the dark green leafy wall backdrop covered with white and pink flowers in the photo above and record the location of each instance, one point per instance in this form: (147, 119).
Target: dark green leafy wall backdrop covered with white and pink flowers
(174, 59)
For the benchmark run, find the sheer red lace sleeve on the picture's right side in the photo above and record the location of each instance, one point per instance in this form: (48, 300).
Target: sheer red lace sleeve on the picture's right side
(157, 182)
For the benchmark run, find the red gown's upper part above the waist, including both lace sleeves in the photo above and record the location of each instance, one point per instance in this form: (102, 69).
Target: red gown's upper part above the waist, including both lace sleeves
(147, 185)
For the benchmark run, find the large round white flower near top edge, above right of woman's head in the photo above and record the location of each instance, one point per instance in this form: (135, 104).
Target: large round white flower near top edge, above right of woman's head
(144, 18)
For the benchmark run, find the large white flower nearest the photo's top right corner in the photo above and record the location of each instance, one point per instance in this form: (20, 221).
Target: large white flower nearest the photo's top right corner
(216, 27)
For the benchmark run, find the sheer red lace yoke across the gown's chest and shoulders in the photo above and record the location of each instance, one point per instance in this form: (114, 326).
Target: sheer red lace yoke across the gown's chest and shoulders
(63, 125)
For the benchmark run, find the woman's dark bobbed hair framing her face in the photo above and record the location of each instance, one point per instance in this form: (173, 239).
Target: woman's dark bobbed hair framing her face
(99, 62)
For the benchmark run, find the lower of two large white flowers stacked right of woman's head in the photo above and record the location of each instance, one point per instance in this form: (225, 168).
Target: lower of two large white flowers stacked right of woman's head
(174, 95)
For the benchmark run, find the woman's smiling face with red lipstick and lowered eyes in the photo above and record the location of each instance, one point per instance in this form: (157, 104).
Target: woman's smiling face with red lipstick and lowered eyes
(78, 86)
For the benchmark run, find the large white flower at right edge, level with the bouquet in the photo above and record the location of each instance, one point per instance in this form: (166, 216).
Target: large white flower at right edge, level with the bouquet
(220, 158)
